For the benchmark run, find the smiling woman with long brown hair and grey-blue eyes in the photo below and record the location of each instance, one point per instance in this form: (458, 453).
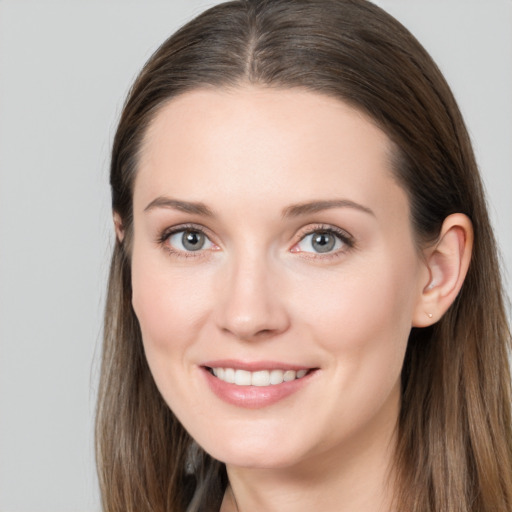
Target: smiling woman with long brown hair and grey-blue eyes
(305, 307)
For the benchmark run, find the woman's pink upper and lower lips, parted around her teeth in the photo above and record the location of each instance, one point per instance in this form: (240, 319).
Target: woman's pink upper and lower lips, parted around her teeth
(253, 397)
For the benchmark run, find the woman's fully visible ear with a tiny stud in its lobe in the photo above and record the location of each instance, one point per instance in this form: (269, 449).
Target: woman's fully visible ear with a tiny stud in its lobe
(447, 264)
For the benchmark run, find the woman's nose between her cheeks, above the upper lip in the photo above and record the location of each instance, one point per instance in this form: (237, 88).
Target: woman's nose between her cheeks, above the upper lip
(251, 304)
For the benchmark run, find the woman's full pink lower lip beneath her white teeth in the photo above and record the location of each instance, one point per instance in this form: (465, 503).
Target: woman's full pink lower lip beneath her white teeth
(254, 397)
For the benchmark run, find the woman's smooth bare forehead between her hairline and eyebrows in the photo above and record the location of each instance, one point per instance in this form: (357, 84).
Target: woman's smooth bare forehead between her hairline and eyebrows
(258, 143)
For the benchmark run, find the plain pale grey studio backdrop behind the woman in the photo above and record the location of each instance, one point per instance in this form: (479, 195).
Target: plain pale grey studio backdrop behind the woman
(65, 68)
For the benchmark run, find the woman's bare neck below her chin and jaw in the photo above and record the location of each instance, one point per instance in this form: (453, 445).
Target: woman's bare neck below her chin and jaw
(339, 481)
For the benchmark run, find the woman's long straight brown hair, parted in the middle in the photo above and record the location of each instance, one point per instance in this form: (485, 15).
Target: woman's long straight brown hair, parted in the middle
(454, 450)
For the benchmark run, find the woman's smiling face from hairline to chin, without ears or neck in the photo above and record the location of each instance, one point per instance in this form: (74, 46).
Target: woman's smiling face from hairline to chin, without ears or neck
(273, 247)
